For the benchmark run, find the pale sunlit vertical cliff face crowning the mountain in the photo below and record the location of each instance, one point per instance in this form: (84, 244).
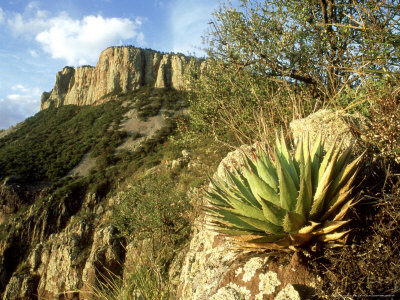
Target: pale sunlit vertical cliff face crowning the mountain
(119, 69)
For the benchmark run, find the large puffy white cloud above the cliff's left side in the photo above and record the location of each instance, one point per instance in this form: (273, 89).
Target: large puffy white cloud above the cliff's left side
(76, 41)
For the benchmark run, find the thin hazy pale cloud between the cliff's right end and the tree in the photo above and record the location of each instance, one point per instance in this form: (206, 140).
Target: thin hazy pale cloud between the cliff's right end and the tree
(189, 21)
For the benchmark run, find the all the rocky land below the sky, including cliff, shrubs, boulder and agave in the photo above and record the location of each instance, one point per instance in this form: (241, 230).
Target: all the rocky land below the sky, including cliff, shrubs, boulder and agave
(123, 186)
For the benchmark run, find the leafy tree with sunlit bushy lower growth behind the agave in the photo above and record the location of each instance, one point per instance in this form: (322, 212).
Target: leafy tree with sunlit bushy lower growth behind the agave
(278, 59)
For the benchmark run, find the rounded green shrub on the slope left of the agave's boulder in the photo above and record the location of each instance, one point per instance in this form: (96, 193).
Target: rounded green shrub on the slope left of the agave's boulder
(154, 208)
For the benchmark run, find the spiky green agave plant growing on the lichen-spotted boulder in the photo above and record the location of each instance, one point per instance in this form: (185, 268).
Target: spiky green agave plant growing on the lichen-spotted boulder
(286, 202)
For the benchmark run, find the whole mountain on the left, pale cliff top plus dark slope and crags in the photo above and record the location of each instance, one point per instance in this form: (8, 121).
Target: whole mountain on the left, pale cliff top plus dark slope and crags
(56, 238)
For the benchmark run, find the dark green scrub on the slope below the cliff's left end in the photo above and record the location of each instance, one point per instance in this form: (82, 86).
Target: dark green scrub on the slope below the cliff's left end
(49, 144)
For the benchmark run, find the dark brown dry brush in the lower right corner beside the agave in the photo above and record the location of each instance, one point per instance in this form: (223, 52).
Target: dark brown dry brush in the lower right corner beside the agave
(370, 264)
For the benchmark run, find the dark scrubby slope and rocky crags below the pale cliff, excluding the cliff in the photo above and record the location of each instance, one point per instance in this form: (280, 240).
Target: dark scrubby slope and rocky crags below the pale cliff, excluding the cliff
(55, 232)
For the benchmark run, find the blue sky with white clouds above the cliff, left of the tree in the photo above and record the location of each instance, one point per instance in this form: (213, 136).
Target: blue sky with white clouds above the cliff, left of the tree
(39, 38)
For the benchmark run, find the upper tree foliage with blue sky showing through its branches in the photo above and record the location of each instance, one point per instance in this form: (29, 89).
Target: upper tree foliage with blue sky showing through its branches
(327, 44)
